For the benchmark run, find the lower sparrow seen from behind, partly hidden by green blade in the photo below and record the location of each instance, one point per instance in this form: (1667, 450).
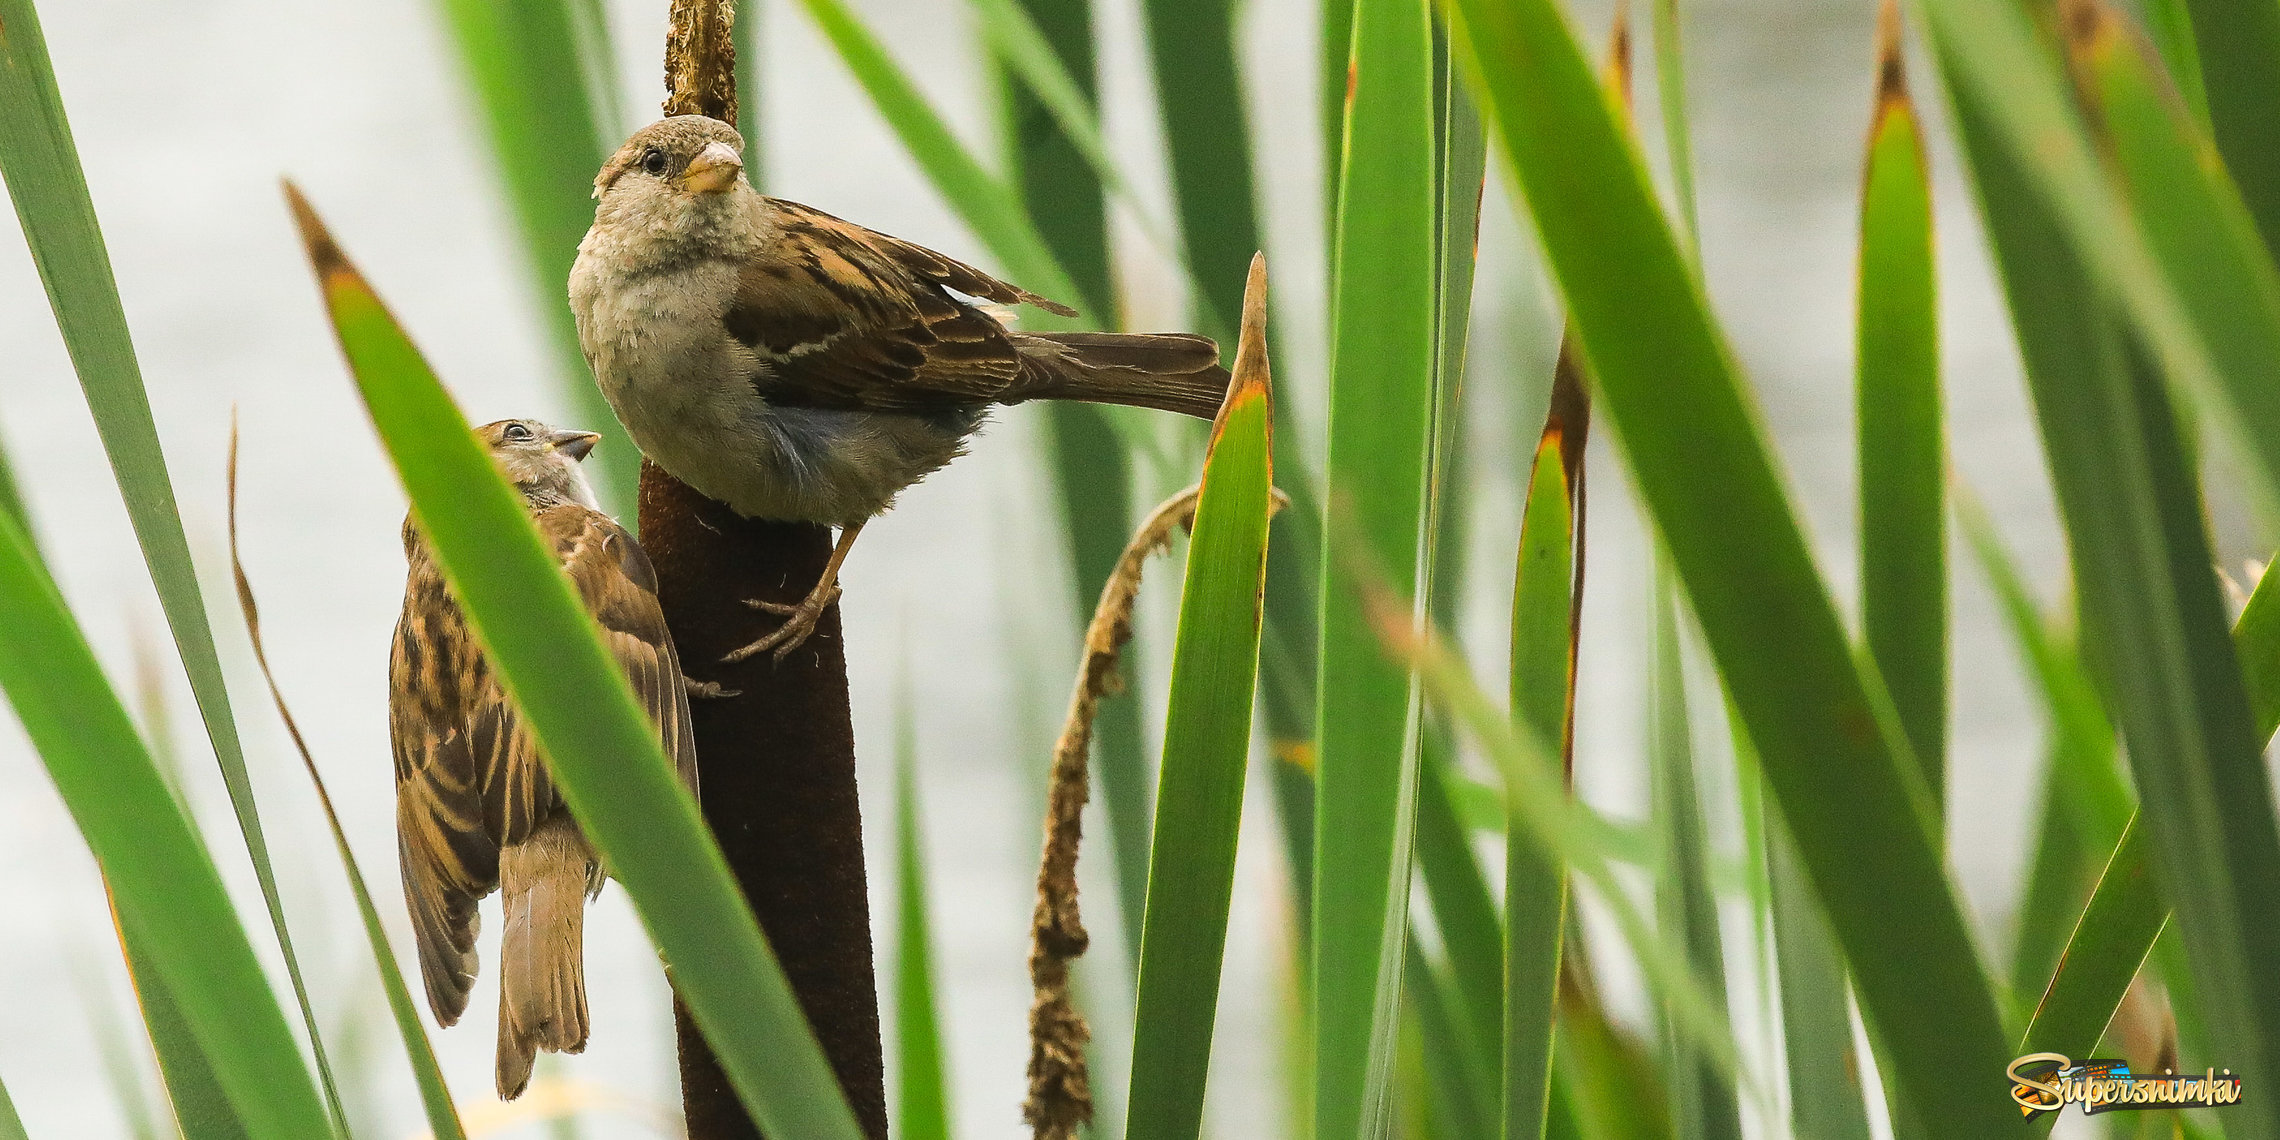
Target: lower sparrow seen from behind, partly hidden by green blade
(475, 804)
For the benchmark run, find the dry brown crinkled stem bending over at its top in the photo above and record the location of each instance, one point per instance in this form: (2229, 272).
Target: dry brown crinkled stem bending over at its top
(1059, 1086)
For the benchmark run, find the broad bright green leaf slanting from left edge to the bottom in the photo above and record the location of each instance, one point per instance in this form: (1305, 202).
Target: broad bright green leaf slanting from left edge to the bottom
(170, 895)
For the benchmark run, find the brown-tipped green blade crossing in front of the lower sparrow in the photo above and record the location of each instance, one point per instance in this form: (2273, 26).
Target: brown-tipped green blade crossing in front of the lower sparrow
(598, 744)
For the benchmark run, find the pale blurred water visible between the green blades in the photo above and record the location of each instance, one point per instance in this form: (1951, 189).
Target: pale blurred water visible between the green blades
(190, 111)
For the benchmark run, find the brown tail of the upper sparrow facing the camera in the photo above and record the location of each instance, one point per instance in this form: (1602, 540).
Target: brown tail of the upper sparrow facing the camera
(1171, 373)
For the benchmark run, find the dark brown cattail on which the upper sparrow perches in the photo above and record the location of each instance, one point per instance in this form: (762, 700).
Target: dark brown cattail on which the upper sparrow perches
(776, 763)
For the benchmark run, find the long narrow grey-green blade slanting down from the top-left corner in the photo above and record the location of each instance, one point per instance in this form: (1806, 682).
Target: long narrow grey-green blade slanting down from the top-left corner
(49, 188)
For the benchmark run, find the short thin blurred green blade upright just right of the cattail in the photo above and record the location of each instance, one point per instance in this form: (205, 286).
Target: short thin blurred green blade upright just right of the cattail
(922, 1089)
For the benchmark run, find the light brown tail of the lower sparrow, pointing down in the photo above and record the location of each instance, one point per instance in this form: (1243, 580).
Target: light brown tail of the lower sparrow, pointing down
(544, 952)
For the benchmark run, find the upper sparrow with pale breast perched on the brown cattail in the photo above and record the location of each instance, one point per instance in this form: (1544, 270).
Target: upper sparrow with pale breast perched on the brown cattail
(804, 368)
